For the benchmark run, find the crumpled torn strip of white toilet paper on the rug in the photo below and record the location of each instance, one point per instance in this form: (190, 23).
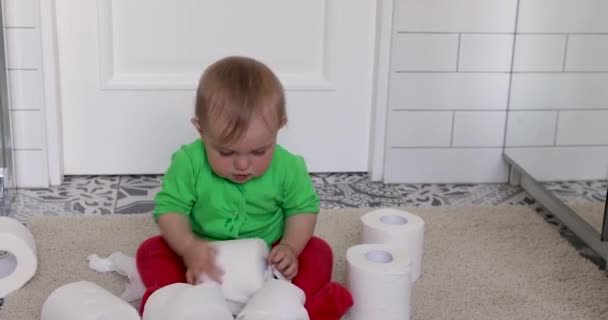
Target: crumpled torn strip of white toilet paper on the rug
(125, 266)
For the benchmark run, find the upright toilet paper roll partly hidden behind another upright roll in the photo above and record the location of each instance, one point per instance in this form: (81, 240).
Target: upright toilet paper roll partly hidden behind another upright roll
(396, 227)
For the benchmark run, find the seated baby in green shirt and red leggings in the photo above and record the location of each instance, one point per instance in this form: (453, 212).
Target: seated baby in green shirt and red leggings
(236, 182)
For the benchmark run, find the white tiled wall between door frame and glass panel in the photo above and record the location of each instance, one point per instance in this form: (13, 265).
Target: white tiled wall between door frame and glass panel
(449, 87)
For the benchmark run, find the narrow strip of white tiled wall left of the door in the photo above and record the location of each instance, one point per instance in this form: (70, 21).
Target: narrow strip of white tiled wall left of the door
(26, 91)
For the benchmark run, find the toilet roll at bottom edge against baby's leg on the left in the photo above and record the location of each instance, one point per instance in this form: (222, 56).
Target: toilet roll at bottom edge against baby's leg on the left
(181, 301)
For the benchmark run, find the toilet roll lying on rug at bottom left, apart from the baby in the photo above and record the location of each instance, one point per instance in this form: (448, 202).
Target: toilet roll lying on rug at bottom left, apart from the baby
(85, 300)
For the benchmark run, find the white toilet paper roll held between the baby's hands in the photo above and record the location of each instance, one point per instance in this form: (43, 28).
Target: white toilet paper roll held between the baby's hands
(244, 264)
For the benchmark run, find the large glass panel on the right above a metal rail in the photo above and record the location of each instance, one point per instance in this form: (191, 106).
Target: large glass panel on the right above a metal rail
(557, 123)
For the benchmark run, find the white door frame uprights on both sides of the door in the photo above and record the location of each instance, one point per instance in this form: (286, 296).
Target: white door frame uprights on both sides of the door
(379, 101)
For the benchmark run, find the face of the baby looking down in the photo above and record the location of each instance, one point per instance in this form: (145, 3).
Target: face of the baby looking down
(247, 157)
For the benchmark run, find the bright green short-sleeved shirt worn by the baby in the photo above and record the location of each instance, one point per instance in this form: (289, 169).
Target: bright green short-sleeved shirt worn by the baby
(220, 209)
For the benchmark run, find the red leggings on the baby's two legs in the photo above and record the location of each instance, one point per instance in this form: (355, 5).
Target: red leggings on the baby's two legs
(159, 266)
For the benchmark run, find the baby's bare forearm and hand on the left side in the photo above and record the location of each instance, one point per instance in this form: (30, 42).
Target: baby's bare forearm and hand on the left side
(198, 256)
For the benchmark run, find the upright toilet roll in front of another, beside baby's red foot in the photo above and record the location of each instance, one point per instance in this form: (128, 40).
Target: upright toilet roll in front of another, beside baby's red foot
(379, 279)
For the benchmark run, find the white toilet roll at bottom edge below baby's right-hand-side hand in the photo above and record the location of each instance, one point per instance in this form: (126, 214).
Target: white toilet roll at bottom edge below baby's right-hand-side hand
(277, 300)
